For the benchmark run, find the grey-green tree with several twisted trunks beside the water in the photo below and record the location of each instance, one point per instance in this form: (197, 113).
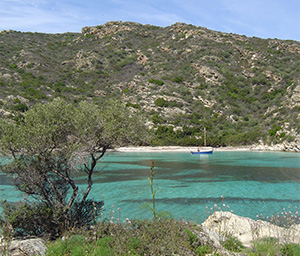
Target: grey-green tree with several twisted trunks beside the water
(52, 143)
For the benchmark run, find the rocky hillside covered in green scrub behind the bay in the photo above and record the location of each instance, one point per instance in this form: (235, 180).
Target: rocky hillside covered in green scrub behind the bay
(184, 78)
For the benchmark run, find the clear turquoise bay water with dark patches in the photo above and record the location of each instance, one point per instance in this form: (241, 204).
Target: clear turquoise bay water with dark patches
(250, 182)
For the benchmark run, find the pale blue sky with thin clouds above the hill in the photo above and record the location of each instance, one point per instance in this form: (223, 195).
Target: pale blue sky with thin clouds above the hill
(261, 18)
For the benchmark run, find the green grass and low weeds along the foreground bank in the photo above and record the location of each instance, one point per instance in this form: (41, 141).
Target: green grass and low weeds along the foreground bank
(157, 237)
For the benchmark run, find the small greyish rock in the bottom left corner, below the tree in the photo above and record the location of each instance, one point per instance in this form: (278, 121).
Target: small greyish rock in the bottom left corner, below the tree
(32, 246)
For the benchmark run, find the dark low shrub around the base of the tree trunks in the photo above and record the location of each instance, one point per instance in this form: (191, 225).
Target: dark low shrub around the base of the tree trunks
(39, 219)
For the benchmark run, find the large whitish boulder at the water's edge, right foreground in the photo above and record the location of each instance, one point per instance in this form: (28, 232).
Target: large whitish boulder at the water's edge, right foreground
(246, 230)
